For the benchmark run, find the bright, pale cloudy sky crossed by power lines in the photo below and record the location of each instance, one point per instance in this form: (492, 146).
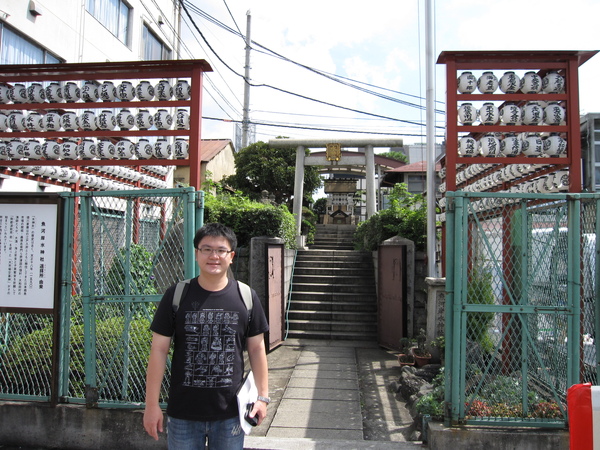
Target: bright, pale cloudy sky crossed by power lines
(377, 45)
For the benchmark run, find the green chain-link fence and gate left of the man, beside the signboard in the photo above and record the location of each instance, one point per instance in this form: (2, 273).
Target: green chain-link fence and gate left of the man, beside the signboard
(121, 251)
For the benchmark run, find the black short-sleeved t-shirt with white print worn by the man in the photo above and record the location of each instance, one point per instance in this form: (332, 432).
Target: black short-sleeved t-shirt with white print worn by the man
(209, 331)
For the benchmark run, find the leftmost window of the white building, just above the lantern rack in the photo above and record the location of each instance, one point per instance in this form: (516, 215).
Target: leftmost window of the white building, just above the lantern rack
(16, 48)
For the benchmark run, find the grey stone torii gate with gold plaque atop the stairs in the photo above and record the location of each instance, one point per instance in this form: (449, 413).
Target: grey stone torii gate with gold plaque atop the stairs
(333, 161)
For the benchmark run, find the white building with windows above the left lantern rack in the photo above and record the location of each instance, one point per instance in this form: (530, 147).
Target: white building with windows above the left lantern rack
(45, 31)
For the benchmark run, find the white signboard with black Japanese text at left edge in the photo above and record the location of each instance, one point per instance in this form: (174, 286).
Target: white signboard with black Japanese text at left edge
(28, 255)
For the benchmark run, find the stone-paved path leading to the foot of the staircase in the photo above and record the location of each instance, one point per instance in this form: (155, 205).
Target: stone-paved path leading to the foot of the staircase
(330, 395)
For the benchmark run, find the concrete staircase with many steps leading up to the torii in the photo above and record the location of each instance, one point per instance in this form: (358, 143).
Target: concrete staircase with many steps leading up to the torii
(333, 289)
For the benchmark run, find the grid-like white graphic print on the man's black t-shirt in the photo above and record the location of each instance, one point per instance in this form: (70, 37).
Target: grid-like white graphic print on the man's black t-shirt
(209, 348)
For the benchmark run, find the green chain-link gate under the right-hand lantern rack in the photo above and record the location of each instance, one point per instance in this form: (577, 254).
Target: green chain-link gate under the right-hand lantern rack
(521, 312)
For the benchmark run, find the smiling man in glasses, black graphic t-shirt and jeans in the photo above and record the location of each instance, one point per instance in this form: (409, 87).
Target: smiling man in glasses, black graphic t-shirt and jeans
(210, 329)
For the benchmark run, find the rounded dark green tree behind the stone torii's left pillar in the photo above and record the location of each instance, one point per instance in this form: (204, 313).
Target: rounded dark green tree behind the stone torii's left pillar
(260, 167)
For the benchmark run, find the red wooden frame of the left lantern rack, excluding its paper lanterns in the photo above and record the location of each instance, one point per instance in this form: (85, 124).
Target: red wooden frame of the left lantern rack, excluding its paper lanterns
(192, 70)
